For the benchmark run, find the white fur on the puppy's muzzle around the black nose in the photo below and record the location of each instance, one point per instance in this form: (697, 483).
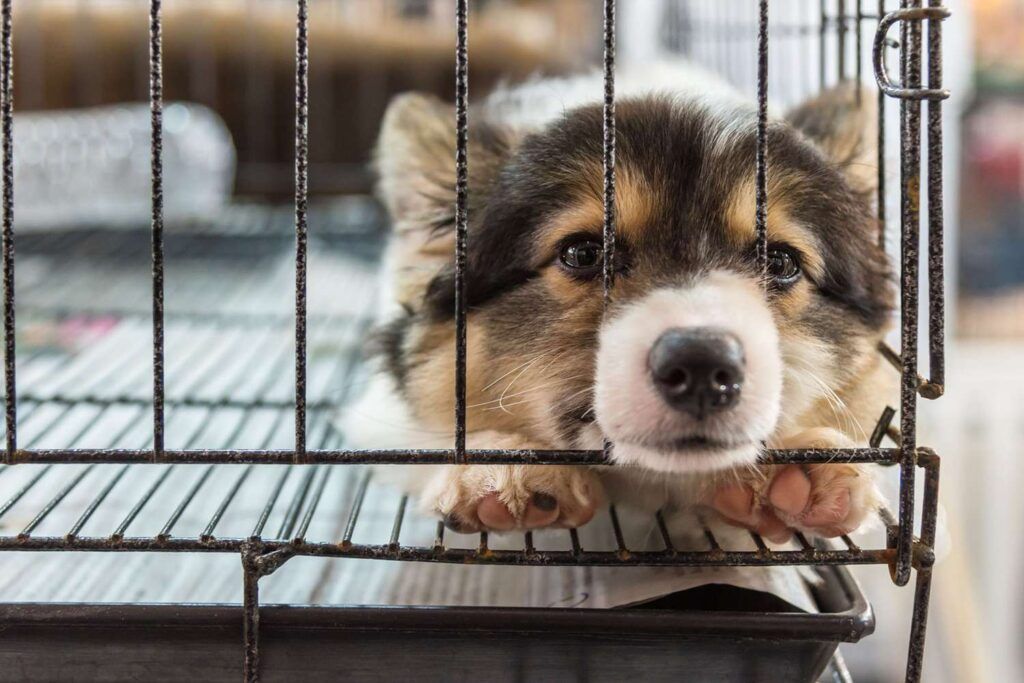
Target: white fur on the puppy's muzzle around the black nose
(631, 412)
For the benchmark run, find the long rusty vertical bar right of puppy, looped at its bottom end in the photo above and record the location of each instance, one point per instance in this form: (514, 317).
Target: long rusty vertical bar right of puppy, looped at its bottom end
(911, 238)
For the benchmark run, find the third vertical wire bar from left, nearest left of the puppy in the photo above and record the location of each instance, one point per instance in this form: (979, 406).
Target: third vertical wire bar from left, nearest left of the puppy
(302, 228)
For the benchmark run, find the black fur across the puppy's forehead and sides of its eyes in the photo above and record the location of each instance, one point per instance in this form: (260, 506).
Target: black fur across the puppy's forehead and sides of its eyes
(693, 159)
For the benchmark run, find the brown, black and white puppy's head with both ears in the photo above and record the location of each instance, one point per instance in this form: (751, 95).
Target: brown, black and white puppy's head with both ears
(698, 360)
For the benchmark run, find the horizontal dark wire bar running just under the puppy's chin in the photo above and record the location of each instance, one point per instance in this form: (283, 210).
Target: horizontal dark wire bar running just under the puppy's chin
(416, 456)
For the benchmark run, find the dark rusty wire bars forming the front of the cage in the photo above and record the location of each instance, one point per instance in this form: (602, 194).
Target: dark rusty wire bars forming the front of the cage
(310, 465)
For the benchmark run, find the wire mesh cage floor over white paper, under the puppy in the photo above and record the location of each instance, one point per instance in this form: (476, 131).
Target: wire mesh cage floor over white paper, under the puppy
(84, 355)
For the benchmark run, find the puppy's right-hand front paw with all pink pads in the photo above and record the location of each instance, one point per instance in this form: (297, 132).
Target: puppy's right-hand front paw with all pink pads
(826, 500)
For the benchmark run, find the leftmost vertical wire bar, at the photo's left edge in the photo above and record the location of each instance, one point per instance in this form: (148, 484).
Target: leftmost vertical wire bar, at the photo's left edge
(8, 124)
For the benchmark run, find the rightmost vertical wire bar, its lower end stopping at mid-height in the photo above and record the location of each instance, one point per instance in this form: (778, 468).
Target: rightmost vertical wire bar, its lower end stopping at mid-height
(936, 267)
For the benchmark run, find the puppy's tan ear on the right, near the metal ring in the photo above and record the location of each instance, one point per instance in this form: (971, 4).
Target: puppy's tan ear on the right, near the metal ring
(845, 129)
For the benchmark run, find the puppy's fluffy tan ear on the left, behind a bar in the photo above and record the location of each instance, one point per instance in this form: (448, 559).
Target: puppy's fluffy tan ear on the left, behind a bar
(415, 160)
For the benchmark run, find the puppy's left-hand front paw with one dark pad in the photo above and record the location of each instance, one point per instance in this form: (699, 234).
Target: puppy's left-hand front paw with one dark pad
(502, 498)
